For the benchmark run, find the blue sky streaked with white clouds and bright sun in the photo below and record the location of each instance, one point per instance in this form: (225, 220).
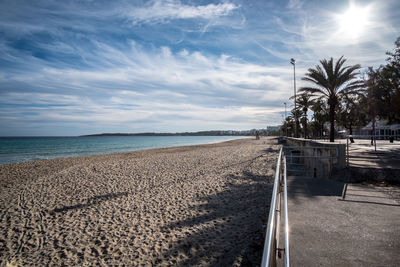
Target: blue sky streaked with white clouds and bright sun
(81, 67)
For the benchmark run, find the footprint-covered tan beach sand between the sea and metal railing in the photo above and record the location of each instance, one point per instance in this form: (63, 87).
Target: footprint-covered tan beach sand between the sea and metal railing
(197, 205)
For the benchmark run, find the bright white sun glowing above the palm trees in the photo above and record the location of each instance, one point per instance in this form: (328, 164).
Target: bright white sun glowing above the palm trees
(354, 21)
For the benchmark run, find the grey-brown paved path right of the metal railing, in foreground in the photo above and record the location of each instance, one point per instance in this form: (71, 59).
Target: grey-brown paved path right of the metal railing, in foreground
(362, 230)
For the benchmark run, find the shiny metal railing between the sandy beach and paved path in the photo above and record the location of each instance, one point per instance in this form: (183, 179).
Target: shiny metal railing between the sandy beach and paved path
(272, 252)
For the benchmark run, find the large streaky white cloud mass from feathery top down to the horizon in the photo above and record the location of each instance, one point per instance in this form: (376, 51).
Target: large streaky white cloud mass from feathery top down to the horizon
(189, 89)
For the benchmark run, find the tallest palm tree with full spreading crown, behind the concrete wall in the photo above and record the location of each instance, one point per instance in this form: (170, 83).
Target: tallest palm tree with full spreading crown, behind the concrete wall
(332, 81)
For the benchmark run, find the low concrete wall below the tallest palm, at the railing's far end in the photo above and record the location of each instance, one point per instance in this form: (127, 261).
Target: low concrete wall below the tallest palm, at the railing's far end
(319, 165)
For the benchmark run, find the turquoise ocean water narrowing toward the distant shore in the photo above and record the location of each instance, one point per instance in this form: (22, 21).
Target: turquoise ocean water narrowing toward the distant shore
(21, 149)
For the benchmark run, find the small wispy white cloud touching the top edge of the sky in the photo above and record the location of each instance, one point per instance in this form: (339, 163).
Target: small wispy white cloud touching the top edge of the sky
(159, 11)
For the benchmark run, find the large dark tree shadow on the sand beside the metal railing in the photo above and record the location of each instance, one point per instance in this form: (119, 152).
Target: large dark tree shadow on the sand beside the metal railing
(229, 230)
